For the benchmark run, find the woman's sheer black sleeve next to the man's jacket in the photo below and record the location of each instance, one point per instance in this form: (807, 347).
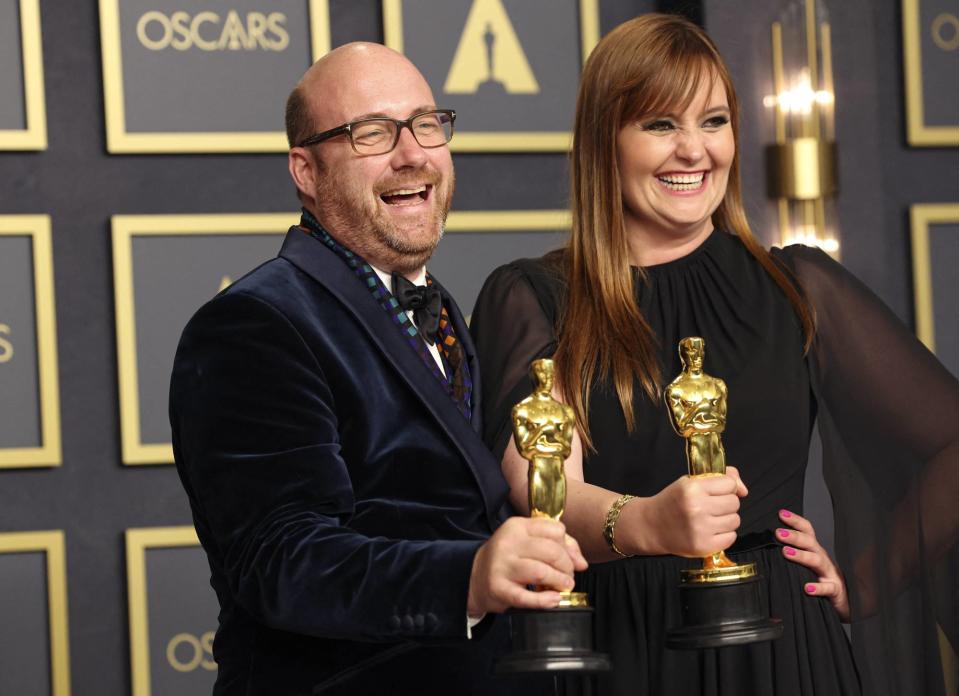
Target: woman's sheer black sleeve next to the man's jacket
(512, 324)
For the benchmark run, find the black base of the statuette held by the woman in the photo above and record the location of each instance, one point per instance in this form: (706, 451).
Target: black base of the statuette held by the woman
(720, 614)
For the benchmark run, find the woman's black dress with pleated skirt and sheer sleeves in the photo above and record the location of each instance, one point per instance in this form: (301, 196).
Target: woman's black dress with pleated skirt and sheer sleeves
(754, 342)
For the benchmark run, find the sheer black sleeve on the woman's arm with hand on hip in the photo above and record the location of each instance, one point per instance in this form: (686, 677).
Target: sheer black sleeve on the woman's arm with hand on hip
(888, 415)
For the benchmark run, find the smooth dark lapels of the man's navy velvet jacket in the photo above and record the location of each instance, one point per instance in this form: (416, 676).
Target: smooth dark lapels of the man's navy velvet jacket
(321, 263)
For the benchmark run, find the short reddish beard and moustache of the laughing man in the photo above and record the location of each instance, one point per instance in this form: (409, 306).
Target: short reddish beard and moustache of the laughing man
(366, 228)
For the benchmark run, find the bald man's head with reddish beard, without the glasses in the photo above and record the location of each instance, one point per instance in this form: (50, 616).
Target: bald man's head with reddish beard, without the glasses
(388, 207)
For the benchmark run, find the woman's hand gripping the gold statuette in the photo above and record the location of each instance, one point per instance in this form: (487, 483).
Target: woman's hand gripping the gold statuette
(694, 516)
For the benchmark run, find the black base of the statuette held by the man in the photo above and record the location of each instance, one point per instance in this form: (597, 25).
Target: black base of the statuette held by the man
(552, 640)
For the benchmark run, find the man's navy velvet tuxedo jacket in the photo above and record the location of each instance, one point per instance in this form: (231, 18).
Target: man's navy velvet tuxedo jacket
(337, 490)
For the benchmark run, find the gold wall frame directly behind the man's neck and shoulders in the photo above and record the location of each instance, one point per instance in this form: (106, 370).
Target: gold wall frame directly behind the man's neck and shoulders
(125, 227)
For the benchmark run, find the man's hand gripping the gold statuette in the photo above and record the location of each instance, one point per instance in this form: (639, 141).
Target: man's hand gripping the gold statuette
(523, 551)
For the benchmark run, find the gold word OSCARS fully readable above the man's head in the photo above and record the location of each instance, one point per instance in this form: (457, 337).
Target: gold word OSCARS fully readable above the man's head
(210, 31)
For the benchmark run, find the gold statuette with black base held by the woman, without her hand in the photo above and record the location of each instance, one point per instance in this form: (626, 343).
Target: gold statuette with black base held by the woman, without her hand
(722, 602)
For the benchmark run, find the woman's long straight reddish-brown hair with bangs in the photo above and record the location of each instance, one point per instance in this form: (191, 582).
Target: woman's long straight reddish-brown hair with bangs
(650, 64)
